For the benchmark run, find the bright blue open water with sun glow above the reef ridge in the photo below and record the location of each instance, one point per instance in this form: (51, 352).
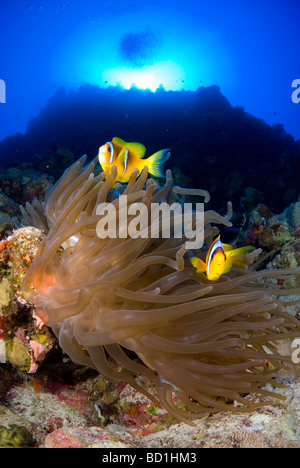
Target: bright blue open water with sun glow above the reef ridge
(250, 49)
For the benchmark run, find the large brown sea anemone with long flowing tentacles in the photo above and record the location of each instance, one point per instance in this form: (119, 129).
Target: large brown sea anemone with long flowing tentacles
(203, 344)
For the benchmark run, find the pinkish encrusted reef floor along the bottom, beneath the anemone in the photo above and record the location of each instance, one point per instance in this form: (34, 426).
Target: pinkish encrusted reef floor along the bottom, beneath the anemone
(57, 412)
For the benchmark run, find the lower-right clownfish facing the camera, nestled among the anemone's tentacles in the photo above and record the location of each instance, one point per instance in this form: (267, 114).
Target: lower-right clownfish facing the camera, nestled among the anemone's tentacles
(220, 259)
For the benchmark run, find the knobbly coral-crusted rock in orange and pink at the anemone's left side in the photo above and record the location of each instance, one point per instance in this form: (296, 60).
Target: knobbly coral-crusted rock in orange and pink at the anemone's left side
(24, 341)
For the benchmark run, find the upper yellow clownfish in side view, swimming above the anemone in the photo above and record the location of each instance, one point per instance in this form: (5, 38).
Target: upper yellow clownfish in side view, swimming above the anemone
(129, 156)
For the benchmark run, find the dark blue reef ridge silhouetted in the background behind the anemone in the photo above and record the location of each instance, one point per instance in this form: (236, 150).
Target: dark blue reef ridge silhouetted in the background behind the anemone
(215, 146)
